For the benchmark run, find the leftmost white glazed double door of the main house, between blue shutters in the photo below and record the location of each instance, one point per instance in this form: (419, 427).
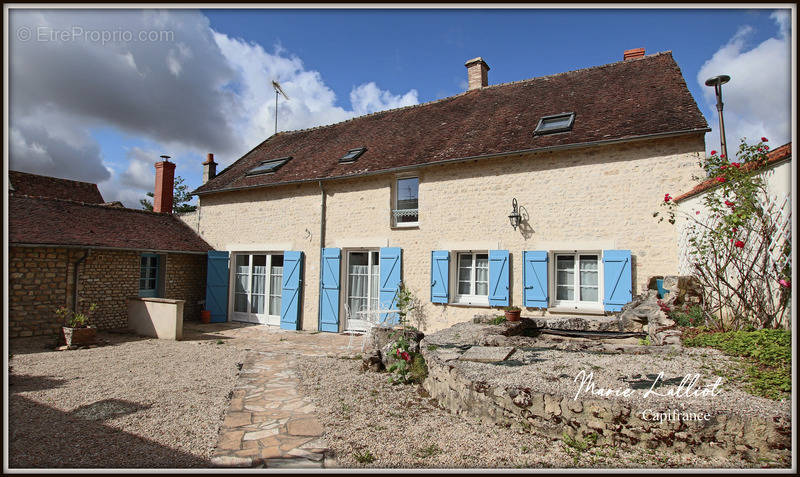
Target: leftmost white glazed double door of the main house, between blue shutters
(257, 288)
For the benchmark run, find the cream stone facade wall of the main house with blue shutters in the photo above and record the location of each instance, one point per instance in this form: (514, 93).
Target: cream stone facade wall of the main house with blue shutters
(583, 199)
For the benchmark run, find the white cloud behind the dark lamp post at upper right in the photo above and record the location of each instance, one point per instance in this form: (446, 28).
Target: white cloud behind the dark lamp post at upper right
(757, 100)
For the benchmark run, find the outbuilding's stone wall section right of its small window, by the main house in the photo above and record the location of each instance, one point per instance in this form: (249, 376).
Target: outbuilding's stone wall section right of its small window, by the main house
(186, 280)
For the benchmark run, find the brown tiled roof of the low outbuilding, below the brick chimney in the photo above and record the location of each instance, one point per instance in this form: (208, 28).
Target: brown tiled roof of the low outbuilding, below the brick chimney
(46, 221)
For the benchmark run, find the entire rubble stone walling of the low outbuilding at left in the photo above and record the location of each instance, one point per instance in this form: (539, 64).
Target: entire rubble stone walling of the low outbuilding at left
(41, 280)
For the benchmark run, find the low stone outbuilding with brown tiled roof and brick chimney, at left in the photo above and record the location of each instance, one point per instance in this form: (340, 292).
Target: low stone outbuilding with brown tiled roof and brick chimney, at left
(67, 247)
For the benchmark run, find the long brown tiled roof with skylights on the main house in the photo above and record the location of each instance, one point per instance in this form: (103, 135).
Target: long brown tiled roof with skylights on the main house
(622, 100)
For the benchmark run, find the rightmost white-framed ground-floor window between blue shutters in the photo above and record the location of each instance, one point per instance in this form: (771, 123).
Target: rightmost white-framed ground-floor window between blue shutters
(577, 279)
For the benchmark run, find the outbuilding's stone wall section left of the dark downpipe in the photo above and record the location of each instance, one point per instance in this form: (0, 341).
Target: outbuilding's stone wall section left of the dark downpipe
(37, 285)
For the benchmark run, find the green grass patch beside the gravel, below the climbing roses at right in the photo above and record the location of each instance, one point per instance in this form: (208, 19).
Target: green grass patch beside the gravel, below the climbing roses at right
(768, 354)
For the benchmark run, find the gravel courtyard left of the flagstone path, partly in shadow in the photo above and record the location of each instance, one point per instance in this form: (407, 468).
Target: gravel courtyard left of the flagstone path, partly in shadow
(135, 402)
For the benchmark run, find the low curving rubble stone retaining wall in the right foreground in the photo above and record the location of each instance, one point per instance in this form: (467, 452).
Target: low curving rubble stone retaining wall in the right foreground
(612, 421)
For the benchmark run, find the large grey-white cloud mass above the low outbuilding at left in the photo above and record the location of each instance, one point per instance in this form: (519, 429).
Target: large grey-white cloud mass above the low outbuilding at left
(200, 92)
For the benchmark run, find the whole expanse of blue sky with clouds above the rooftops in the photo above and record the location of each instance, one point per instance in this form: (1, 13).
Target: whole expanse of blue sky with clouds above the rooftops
(113, 108)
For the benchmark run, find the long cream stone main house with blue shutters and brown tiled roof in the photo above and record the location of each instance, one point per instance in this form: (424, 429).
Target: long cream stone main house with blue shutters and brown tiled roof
(537, 193)
